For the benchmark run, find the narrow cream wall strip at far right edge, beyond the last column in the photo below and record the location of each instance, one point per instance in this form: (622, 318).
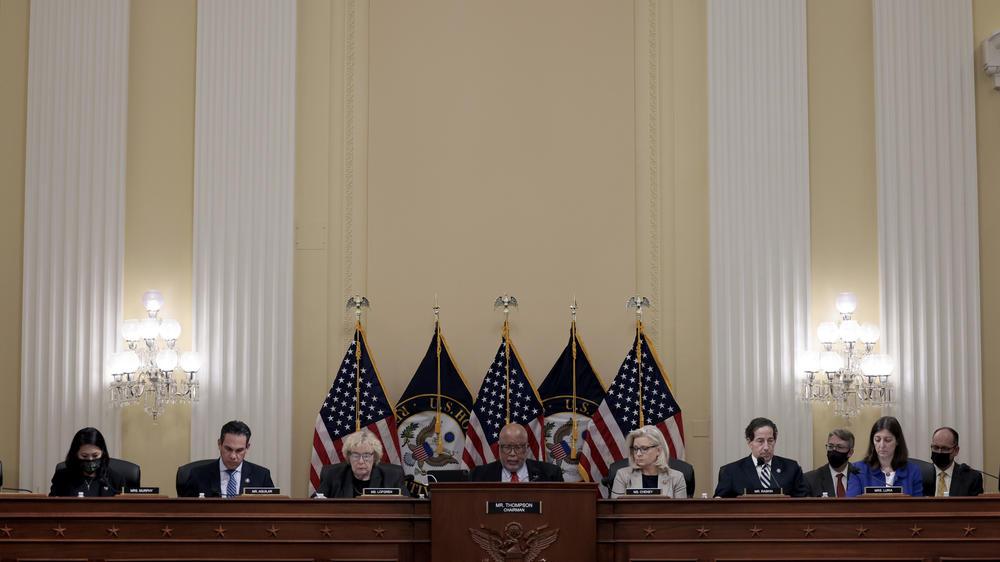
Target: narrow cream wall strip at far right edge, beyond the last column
(986, 20)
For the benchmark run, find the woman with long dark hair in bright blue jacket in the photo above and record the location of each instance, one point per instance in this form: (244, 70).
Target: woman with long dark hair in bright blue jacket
(887, 462)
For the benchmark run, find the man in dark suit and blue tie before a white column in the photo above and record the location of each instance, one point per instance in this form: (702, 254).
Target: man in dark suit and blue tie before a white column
(231, 474)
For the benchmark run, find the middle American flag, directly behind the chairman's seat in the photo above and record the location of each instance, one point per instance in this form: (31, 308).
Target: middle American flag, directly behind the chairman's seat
(490, 409)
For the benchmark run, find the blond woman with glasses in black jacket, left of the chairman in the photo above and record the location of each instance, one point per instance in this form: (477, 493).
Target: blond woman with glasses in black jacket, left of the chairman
(363, 451)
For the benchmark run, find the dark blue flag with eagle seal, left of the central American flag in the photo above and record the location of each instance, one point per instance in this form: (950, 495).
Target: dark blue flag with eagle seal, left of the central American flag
(416, 415)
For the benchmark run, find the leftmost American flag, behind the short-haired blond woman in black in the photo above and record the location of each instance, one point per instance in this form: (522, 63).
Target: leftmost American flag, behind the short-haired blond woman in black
(336, 419)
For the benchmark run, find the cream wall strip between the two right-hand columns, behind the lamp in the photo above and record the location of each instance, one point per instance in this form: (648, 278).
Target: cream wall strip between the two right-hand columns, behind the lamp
(842, 184)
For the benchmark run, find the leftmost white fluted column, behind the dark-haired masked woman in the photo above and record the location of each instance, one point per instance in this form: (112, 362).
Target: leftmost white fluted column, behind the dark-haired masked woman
(73, 226)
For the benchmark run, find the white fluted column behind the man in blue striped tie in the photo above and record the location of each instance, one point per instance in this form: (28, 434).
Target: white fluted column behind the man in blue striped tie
(243, 225)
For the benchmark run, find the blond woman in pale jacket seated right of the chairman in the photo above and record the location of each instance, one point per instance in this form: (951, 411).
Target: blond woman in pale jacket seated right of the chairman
(647, 466)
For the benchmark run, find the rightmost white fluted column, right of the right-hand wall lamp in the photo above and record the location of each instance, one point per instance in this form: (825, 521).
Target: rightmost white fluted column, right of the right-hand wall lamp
(928, 217)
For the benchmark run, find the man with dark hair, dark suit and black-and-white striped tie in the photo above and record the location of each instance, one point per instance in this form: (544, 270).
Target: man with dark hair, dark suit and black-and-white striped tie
(762, 469)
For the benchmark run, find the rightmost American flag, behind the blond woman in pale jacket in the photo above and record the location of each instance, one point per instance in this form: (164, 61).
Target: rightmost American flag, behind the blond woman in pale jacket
(618, 413)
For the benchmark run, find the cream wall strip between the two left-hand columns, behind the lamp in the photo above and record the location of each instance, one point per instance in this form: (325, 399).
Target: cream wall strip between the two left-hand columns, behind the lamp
(159, 207)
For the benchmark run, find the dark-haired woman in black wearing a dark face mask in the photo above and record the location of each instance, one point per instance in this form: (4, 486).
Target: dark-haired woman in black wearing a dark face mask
(86, 468)
